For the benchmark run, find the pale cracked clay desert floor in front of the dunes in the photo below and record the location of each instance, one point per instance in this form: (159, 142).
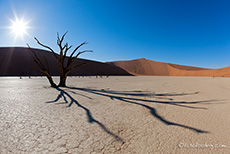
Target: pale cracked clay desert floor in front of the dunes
(115, 115)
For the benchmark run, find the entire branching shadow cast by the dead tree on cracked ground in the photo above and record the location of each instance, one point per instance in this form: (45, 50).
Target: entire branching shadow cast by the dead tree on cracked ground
(123, 96)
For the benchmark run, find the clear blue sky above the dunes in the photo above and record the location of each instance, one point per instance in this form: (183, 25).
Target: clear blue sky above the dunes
(187, 32)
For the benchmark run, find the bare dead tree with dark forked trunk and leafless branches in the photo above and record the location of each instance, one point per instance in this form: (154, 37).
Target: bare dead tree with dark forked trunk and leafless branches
(65, 63)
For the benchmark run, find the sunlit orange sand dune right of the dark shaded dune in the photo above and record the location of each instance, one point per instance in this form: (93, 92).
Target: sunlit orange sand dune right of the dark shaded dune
(149, 67)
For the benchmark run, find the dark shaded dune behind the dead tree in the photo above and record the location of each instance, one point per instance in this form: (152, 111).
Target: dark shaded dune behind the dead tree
(15, 61)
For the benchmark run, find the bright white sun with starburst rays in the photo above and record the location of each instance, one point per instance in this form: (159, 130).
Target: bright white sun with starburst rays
(19, 27)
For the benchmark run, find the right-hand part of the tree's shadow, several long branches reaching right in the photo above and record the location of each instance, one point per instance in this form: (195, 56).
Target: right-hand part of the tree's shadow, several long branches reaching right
(113, 95)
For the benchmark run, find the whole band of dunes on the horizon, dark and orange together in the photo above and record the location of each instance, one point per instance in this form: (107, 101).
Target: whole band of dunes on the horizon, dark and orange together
(15, 61)
